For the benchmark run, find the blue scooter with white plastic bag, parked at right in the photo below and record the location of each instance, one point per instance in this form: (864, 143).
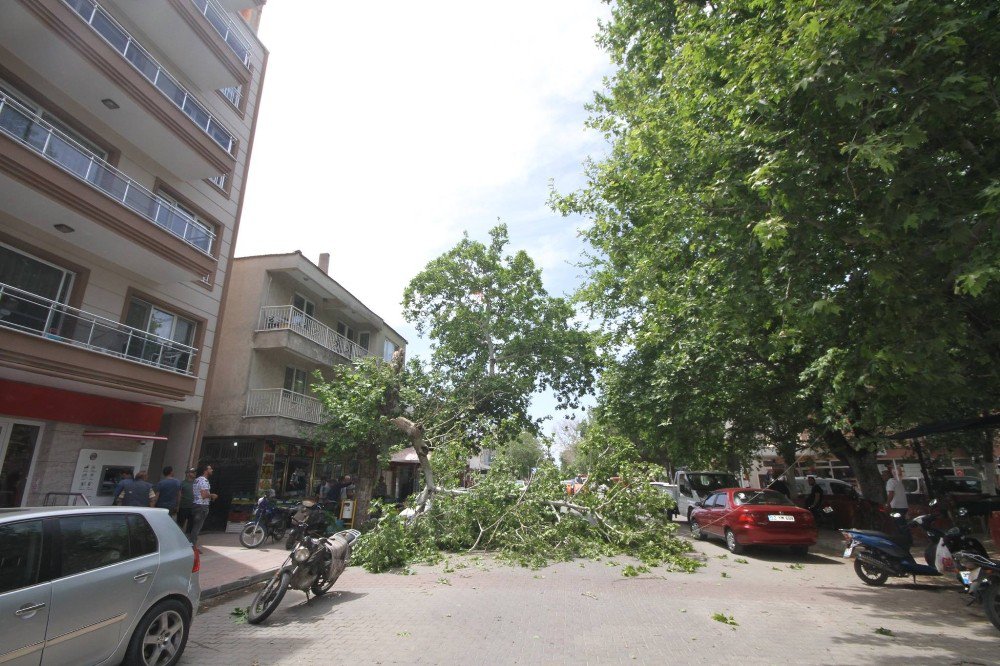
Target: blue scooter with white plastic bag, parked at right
(880, 555)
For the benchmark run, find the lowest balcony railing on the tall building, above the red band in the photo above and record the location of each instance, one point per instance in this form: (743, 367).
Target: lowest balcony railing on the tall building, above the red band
(42, 317)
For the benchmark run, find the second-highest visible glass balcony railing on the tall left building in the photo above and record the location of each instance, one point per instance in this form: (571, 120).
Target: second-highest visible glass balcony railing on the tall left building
(120, 40)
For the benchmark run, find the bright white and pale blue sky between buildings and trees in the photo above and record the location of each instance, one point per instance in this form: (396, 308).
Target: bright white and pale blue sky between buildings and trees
(387, 129)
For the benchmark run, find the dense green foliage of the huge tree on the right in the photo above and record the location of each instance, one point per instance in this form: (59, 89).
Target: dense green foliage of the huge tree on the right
(798, 225)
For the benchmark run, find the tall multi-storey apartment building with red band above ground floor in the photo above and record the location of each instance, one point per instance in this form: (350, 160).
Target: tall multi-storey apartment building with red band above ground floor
(126, 128)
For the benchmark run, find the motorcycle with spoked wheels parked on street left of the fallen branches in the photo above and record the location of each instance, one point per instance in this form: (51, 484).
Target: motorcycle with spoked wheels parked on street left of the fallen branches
(313, 566)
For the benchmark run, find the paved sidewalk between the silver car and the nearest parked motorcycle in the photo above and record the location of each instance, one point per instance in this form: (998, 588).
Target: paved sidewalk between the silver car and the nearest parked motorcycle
(226, 565)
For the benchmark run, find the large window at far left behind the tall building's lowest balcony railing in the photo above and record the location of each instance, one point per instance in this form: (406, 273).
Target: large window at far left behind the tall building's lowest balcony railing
(31, 274)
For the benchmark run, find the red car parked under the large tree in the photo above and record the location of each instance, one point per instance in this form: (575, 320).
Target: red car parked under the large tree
(753, 517)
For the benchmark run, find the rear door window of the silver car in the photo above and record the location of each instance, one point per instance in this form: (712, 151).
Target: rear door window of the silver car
(91, 542)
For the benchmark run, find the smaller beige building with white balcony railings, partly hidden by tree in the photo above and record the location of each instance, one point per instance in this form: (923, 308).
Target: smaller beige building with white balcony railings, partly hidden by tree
(284, 319)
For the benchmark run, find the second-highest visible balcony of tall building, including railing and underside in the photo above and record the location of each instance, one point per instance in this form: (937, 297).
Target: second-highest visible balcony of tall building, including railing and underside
(100, 75)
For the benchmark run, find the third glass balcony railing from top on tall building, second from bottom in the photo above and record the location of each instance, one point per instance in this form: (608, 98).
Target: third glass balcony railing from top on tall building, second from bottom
(24, 126)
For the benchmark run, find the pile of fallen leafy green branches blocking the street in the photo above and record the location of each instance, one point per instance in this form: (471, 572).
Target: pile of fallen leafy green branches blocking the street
(626, 516)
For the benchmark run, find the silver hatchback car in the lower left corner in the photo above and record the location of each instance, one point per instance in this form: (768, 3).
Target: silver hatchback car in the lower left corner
(94, 585)
